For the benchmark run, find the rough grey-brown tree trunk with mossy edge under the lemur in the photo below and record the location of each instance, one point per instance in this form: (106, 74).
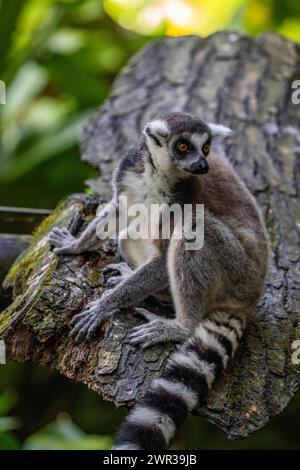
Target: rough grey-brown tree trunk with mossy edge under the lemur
(229, 78)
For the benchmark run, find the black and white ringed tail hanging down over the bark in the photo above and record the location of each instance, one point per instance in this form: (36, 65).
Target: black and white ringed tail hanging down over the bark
(185, 383)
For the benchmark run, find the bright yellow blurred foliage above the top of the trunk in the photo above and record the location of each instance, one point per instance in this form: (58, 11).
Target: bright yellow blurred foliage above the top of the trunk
(204, 17)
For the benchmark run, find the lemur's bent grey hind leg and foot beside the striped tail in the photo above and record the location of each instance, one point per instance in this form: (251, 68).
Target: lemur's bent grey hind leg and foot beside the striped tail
(200, 280)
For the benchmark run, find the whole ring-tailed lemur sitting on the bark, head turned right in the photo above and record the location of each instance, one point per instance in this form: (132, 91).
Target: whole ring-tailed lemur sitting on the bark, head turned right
(213, 289)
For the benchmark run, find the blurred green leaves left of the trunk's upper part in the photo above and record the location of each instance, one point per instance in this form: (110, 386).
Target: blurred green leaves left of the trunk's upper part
(58, 59)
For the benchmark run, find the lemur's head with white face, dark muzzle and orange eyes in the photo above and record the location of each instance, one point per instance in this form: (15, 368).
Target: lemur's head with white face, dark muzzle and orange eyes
(182, 142)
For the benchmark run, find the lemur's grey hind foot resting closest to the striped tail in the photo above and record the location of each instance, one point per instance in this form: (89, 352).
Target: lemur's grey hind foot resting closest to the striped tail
(158, 330)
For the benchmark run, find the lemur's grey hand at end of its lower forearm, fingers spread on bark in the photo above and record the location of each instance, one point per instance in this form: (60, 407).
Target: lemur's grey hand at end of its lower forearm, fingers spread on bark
(87, 322)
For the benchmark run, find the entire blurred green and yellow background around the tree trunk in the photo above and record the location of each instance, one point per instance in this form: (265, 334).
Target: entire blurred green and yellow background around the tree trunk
(58, 60)
